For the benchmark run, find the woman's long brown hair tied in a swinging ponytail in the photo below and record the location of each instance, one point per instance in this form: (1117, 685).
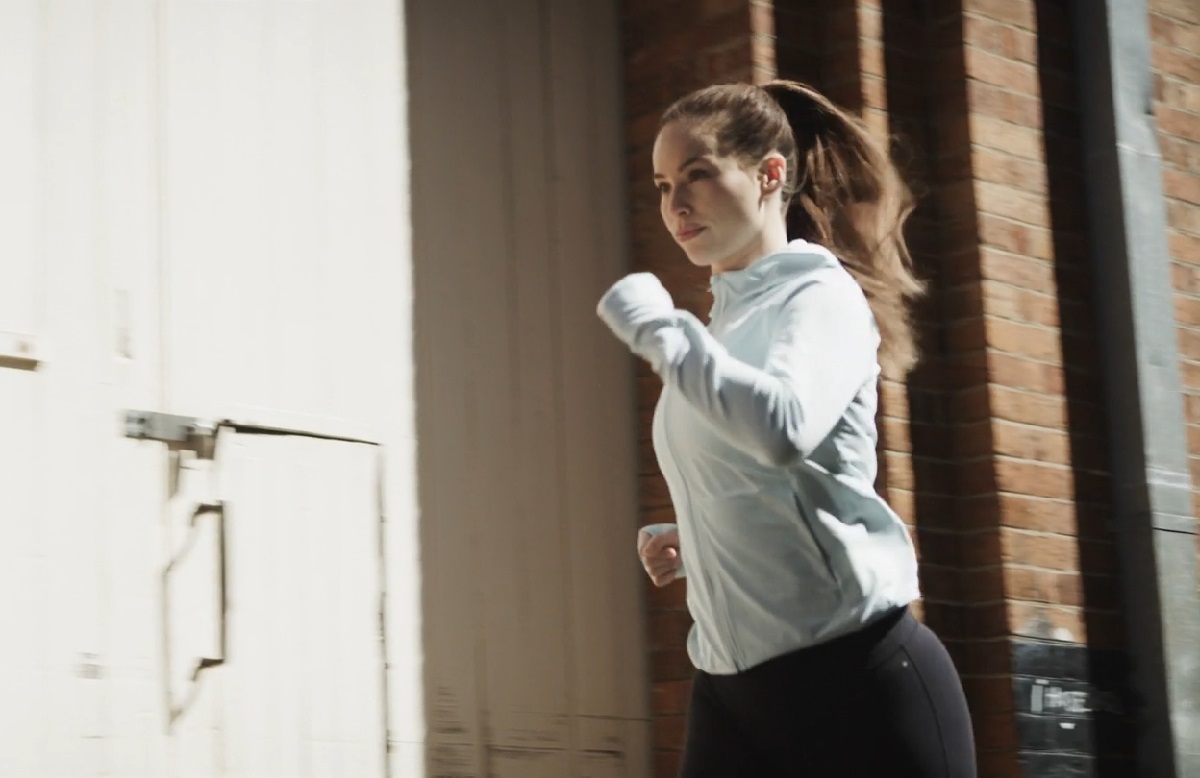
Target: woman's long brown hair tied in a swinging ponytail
(843, 191)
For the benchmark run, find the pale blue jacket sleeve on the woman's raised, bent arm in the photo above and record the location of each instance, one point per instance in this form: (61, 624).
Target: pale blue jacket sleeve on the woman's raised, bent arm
(823, 350)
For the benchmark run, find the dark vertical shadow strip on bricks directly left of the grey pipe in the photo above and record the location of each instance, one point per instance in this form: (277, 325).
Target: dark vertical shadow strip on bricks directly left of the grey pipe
(1103, 666)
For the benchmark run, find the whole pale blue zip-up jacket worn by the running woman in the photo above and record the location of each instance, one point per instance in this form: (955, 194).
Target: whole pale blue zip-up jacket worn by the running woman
(766, 438)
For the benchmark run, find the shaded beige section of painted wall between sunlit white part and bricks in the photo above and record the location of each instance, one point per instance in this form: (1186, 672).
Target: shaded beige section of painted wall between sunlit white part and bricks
(533, 619)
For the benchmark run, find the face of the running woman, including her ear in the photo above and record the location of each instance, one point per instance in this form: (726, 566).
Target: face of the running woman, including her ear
(718, 210)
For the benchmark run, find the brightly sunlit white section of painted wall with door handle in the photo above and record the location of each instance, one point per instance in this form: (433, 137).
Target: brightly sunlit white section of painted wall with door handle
(205, 211)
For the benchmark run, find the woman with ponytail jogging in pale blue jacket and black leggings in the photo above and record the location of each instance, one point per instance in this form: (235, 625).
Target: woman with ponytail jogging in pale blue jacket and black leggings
(809, 662)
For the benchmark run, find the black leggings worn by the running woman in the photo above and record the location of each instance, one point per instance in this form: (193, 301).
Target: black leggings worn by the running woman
(883, 702)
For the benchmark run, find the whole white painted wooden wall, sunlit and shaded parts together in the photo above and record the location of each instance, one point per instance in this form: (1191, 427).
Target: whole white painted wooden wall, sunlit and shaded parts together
(206, 210)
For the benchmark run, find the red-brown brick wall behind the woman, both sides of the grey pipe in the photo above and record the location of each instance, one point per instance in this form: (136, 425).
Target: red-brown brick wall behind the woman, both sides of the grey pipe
(994, 452)
